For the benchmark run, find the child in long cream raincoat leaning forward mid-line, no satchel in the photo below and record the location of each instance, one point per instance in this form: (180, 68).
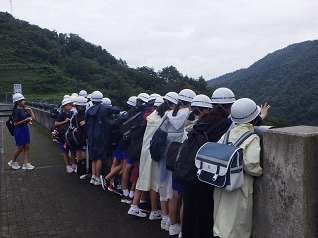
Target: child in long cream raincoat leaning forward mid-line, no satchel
(148, 169)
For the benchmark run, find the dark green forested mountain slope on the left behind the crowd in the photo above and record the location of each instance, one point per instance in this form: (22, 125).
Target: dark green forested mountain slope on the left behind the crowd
(51, 64)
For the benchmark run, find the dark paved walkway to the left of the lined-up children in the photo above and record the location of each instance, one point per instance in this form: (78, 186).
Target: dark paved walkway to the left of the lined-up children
(47, 202)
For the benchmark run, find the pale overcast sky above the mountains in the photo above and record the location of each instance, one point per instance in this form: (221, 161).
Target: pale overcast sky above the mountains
(199, 37)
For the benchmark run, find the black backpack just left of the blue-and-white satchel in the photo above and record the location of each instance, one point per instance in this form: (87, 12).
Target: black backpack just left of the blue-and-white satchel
(184, 167)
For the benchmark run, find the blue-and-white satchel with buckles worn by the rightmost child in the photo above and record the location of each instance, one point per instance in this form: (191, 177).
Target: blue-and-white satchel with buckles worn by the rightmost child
(221, 165)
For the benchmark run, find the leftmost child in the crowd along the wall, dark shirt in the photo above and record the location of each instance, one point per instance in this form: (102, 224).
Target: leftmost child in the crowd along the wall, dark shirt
(63, 119)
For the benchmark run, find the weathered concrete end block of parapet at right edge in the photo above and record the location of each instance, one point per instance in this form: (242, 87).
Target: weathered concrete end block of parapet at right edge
(286, 196)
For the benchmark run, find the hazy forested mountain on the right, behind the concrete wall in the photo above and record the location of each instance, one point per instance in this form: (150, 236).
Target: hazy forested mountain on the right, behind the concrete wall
(287, 79)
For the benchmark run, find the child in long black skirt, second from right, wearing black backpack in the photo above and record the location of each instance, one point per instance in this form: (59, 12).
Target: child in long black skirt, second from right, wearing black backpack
(198, 197)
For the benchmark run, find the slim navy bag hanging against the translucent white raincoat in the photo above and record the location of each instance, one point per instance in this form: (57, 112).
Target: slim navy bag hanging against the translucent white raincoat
(158, 143)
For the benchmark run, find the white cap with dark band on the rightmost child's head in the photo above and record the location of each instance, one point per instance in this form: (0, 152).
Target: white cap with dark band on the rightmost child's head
(244, 110)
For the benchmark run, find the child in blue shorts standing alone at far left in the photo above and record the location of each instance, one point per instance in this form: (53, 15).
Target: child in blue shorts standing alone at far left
(21, 116)
